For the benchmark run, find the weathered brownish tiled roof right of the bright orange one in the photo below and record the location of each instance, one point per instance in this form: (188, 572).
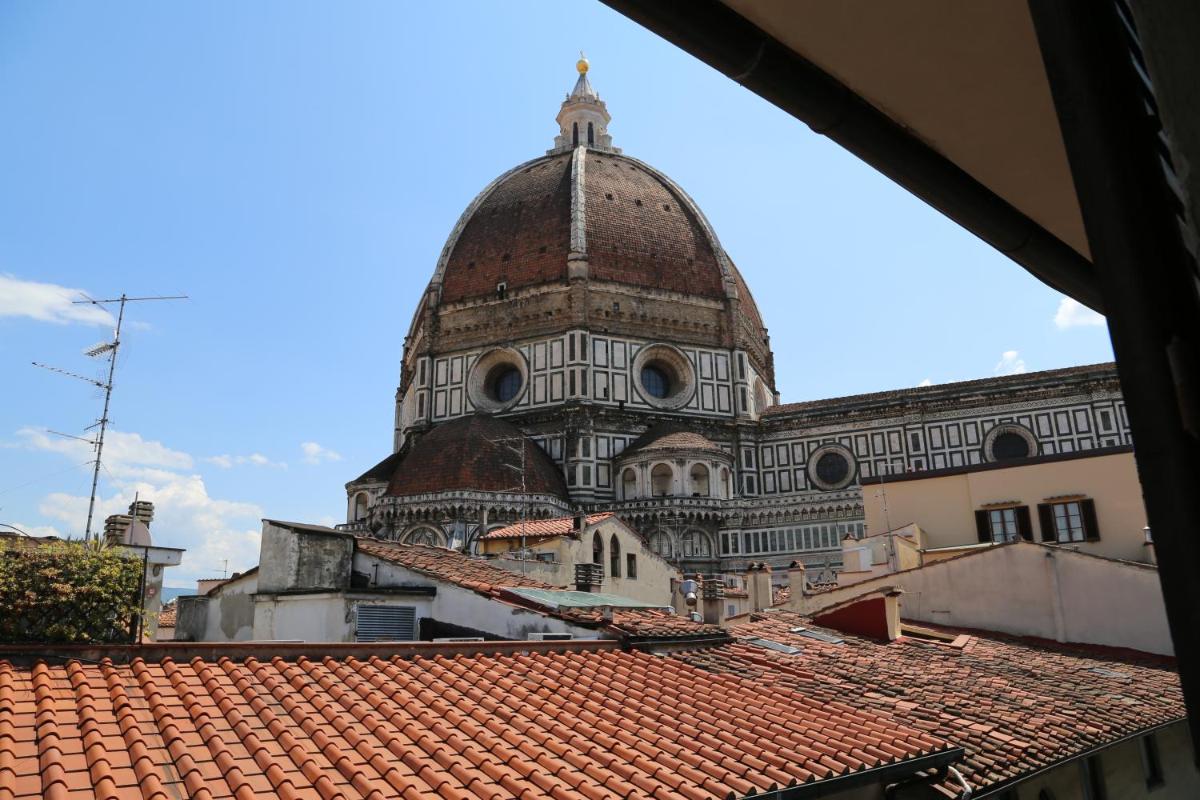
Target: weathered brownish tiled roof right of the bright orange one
(1013, 706)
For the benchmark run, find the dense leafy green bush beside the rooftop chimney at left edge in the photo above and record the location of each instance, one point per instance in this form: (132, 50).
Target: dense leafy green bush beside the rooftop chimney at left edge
(67, 593)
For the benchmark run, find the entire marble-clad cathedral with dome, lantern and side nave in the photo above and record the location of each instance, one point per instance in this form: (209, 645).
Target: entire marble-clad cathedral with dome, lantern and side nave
(586, 344)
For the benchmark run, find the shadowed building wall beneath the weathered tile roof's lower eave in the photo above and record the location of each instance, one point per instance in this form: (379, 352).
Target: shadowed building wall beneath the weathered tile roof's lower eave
(1125, 774)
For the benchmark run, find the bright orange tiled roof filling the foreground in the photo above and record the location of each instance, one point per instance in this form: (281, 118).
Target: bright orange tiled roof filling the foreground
(577, 724)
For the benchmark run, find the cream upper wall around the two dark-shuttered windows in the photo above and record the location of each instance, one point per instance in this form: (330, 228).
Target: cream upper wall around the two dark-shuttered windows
(945, 507)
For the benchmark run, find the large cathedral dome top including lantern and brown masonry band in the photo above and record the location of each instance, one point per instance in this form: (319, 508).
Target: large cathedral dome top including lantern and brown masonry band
(587, 215)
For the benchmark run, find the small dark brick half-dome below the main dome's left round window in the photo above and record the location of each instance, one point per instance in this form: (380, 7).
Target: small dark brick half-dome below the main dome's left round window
(469, 454)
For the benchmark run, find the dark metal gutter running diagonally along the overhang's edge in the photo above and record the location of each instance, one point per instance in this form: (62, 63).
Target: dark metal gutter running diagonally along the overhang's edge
(727, 41)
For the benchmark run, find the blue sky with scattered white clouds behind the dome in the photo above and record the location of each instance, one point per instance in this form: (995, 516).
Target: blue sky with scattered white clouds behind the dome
(296, 167)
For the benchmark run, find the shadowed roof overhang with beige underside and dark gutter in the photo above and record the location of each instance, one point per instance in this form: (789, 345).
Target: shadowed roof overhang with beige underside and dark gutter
(950, 100)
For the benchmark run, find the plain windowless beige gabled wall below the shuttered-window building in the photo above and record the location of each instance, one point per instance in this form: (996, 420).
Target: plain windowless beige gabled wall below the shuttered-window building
(1029, 591)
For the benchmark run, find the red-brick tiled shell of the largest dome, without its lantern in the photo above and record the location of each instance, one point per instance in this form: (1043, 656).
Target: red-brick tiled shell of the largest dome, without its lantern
(627, 221)
